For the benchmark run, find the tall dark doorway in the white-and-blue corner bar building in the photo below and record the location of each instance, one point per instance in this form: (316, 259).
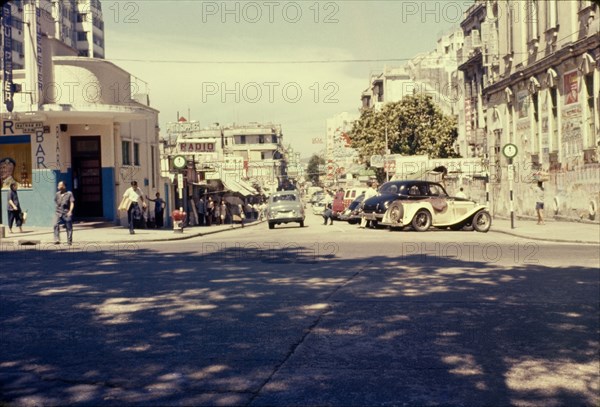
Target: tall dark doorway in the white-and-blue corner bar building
(87, 176)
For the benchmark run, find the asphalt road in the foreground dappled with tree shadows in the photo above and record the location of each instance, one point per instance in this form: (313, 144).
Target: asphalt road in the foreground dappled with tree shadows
(320, 315)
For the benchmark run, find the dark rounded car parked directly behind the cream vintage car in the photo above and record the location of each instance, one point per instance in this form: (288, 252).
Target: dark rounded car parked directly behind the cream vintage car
(374, 208)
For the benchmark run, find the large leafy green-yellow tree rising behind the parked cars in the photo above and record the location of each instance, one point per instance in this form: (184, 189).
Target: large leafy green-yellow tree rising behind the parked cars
(415, 126)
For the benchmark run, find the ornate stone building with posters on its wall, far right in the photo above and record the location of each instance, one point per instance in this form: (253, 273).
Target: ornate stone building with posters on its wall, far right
(543, 97)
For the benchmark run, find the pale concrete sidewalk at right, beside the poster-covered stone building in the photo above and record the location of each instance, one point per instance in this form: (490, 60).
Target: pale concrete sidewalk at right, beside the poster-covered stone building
(551, 231)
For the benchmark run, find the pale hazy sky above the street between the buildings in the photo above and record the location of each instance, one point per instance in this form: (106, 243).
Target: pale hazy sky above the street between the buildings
(197, 55)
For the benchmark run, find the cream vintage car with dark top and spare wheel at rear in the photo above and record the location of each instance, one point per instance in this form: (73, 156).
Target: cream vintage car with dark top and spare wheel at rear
(424, 205)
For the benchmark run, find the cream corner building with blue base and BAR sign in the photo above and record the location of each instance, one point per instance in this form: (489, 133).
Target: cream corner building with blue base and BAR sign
(69, 115)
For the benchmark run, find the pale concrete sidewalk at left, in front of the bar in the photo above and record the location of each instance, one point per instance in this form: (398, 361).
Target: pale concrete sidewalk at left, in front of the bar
(105, 233)
